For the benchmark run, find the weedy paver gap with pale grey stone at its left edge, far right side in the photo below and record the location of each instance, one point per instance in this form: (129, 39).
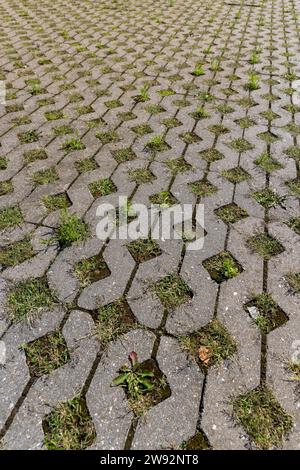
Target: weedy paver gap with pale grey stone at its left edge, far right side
(268, 315)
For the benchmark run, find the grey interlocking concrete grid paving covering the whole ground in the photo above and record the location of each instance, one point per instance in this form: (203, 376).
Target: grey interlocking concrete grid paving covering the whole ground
(73, 70)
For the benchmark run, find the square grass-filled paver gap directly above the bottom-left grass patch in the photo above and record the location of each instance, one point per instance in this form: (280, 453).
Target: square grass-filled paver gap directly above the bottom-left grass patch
(46, 354)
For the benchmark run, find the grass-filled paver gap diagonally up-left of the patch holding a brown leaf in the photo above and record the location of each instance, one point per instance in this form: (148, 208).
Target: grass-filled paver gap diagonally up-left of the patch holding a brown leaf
(172, 291)
